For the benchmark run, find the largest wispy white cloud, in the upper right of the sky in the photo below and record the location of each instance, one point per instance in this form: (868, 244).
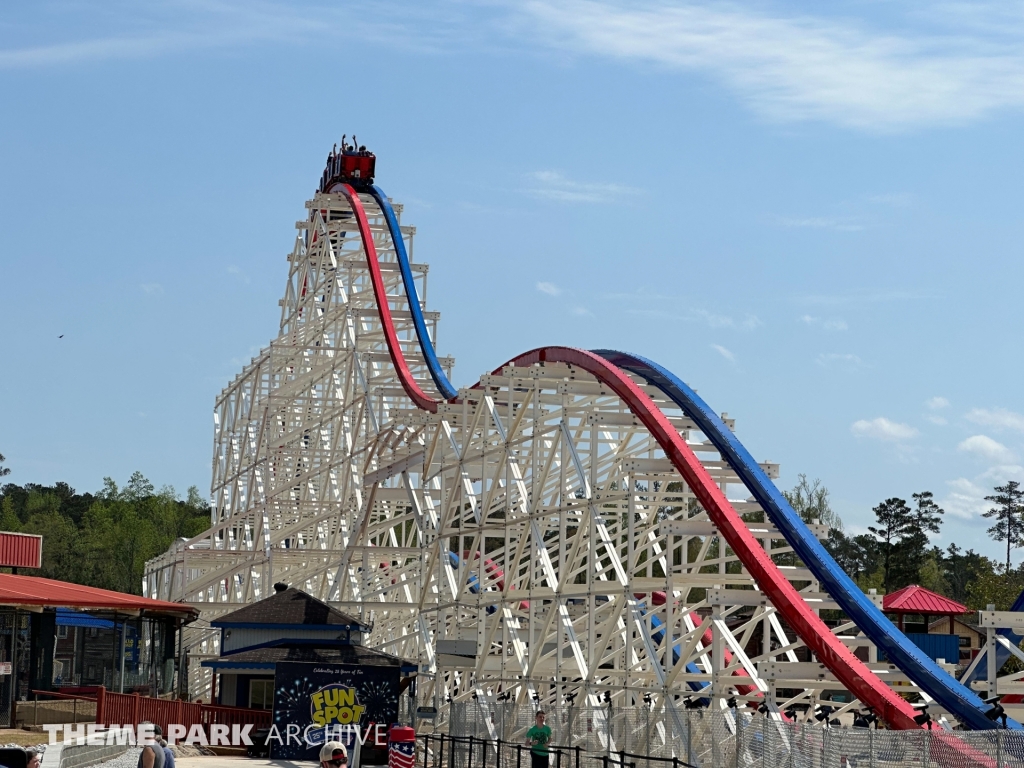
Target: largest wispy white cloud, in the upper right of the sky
(965, 65)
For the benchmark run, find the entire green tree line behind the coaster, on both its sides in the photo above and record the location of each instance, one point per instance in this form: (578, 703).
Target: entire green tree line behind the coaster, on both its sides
(104, 539)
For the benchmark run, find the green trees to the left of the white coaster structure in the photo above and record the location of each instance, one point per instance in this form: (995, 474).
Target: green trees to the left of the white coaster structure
(105, 538)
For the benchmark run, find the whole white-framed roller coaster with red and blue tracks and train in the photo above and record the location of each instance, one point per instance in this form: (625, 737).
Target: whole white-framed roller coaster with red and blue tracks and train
(576, 524)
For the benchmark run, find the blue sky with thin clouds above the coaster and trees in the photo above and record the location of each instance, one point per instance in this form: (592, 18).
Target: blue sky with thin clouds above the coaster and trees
(812, 214)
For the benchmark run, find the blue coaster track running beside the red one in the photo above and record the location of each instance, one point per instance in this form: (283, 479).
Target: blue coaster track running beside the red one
(960, 701)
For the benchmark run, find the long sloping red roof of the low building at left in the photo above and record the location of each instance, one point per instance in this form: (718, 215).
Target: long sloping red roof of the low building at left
(48, 593)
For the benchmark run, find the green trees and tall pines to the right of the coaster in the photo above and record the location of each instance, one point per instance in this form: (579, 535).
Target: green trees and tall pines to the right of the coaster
(898, 551)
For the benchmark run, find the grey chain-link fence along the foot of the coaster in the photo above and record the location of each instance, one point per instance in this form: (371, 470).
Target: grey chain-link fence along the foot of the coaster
(643, 738)
